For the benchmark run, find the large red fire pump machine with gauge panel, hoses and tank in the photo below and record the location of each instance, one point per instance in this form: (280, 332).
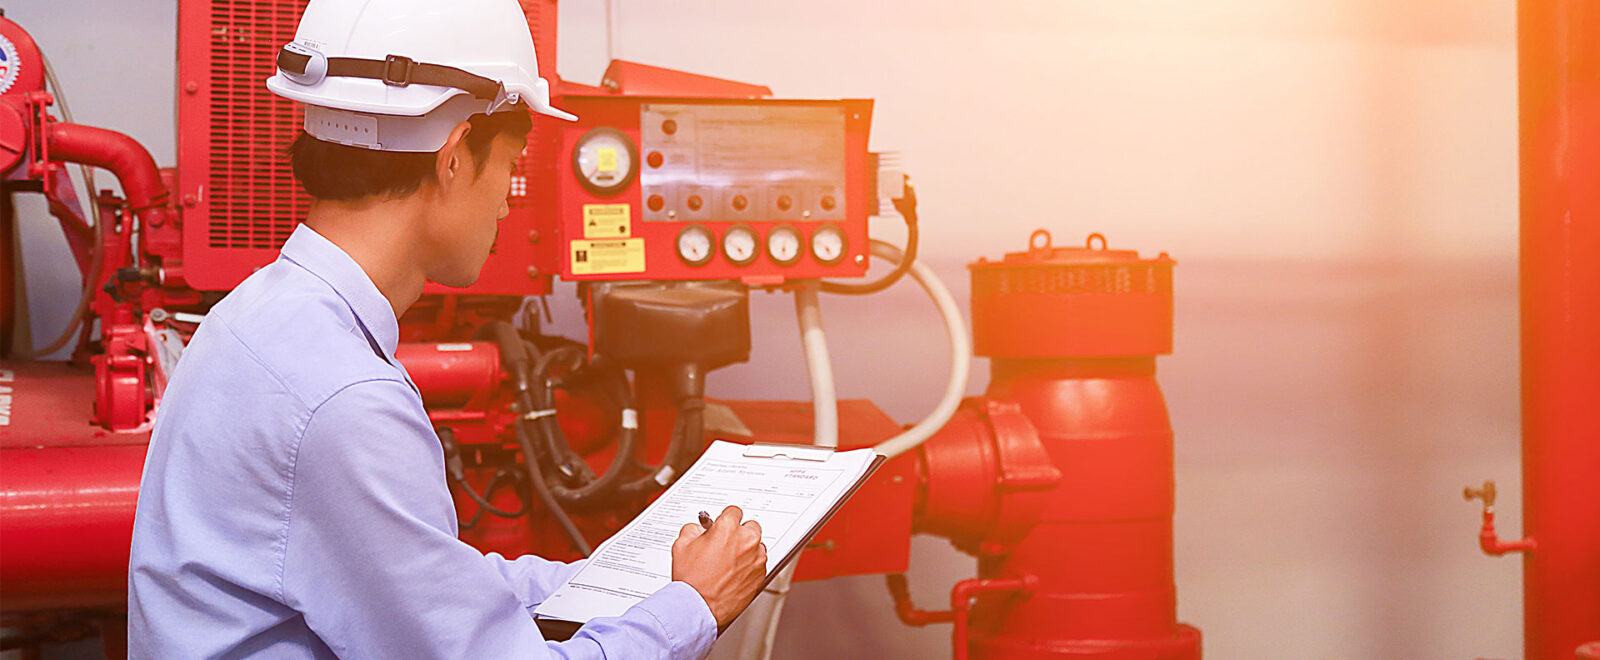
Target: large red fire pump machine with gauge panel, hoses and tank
(670, 203)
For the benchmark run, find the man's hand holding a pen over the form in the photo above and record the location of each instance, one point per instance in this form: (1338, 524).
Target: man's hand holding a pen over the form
(726, 565)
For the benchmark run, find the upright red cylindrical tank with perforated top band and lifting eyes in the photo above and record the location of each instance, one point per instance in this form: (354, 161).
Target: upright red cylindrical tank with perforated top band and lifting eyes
(1073, 336)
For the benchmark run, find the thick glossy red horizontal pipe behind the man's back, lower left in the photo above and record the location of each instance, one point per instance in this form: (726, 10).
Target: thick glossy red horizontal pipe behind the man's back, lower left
(66, 520)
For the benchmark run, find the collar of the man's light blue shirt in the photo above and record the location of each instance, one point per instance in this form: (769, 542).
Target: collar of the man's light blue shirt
(350, 281)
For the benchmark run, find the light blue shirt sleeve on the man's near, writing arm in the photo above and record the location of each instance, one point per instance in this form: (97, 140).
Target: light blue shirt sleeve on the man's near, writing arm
(370, 555)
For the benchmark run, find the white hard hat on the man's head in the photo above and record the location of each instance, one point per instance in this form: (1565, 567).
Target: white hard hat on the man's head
(401, 74)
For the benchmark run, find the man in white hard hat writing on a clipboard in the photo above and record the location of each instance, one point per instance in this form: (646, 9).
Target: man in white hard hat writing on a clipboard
(294, 502)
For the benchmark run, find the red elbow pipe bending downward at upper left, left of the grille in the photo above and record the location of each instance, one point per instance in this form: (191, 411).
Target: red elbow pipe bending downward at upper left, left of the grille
(124, 156)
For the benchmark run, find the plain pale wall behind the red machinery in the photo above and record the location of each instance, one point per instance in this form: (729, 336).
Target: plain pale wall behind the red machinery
(1335, 179)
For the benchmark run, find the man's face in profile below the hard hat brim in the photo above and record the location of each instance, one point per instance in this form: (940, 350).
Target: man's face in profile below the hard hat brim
(463, 231)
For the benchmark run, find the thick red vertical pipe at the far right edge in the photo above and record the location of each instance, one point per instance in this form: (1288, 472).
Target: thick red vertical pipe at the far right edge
(1559, 102)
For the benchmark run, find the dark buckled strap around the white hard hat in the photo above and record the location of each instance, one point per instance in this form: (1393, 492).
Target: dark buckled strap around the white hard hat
(308, 66)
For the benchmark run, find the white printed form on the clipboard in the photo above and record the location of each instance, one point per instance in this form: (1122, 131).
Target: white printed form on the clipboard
(788, 489)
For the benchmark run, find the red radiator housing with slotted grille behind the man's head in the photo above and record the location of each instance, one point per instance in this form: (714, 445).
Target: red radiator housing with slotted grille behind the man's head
(241, 201)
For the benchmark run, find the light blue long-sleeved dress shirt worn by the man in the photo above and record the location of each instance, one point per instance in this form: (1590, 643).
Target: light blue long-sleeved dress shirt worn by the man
(294, 502)
